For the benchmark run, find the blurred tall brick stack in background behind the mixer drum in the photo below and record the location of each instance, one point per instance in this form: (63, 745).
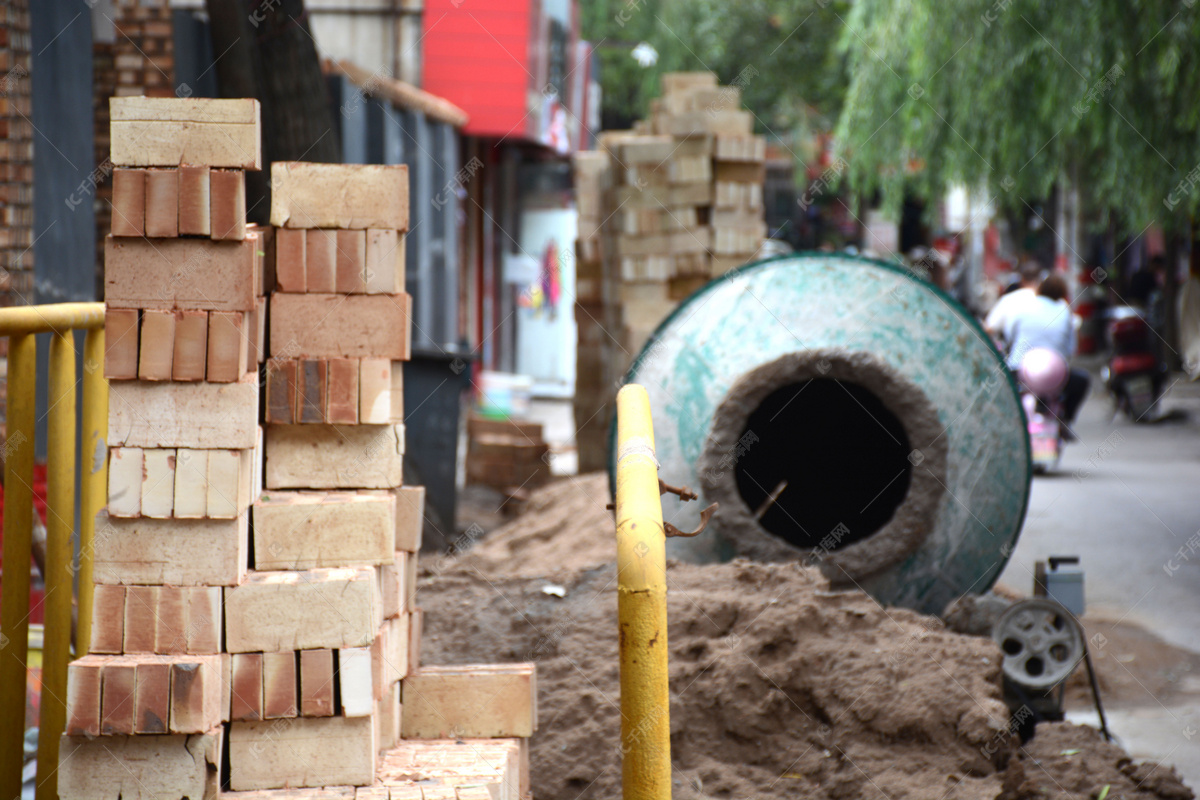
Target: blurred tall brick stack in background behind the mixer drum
(664, 209)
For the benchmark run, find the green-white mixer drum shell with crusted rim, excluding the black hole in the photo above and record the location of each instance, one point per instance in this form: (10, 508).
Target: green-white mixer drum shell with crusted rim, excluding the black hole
(837, 315)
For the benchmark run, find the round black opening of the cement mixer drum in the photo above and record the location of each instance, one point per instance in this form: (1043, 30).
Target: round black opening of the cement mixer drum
(837, 458)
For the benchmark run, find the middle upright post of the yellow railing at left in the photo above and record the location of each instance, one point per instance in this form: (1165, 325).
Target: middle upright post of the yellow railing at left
(61, 458)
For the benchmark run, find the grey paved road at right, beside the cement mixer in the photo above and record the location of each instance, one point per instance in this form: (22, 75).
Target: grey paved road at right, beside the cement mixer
(1127, 501)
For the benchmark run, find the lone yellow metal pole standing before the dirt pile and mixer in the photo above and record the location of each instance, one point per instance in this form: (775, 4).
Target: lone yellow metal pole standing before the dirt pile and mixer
(641, 605)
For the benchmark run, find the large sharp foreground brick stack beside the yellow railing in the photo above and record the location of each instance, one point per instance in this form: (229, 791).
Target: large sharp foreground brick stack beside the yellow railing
(255, 621)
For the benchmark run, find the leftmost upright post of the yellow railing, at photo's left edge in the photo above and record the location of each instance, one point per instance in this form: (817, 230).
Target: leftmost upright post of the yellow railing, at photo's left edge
(19, 531)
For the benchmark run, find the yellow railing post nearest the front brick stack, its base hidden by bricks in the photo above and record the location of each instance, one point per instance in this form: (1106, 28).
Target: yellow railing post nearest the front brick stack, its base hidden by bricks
(94, 480)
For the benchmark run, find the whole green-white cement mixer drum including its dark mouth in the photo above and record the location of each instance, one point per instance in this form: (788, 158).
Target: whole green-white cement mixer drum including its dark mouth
(842, 411)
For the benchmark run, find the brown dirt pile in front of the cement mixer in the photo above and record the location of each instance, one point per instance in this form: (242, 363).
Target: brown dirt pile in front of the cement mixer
(781, 689)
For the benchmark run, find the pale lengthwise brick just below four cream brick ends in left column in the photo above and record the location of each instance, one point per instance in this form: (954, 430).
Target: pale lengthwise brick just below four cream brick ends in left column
(179, 552)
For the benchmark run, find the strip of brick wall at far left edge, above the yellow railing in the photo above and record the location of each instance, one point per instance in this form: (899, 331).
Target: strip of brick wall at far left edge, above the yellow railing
(16, 159)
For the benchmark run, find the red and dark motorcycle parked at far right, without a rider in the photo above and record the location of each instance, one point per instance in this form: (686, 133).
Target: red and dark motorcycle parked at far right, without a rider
(1135, 375)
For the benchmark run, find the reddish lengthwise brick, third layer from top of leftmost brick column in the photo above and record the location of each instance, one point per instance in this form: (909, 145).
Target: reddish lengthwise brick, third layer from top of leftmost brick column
(183, 274)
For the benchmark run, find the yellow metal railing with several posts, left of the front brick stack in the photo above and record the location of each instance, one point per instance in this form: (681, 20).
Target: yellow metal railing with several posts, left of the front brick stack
(21, 326)
